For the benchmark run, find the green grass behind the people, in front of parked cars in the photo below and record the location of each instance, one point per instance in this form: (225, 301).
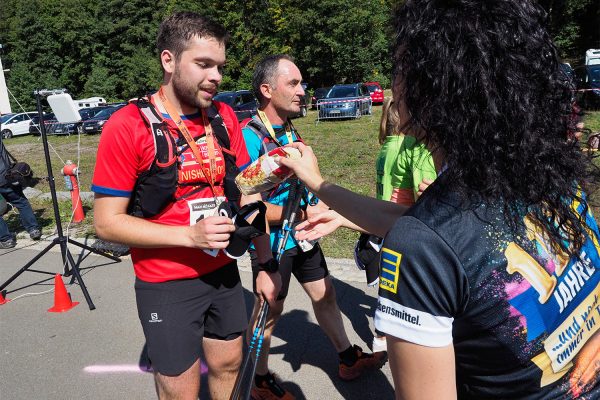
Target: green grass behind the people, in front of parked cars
(346, 151)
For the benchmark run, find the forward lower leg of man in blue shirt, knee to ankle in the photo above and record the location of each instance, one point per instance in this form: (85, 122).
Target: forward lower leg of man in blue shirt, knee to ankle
(327, 312)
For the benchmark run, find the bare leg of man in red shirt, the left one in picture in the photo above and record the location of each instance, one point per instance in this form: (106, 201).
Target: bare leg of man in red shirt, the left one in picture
(185, 386)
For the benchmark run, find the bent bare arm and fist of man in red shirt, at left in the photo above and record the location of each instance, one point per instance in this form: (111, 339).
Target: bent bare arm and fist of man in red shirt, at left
(112, 222)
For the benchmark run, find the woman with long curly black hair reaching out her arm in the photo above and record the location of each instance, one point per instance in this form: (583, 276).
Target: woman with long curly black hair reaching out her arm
(490, 283)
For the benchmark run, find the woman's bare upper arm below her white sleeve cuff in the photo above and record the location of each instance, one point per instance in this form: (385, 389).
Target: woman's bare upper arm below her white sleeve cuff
(422, 372)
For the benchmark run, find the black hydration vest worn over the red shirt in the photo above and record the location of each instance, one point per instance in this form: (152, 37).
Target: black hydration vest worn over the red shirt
(155, 188)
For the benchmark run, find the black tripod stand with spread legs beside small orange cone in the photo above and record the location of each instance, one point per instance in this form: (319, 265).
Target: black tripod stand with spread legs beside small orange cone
(71, 267)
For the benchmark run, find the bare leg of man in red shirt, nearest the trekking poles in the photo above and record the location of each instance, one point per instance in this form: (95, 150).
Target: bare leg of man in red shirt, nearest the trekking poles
(223, 358)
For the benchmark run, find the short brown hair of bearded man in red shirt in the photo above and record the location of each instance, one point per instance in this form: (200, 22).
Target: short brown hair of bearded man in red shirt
(178, 29)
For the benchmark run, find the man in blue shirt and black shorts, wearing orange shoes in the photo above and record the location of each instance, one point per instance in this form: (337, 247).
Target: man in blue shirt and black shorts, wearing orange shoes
(277, 86)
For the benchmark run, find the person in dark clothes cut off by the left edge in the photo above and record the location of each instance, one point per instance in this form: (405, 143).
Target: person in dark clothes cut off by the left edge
(14, 195)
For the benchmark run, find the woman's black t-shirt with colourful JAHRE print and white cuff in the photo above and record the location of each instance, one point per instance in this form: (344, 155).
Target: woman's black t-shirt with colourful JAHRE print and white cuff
(517, 313)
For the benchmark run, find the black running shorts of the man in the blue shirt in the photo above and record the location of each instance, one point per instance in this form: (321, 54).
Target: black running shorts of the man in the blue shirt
(307, 267)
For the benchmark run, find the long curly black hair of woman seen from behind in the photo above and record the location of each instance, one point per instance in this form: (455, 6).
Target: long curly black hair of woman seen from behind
(481, 83)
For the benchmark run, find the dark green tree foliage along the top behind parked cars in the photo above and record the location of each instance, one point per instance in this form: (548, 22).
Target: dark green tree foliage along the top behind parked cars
(108, 48)
